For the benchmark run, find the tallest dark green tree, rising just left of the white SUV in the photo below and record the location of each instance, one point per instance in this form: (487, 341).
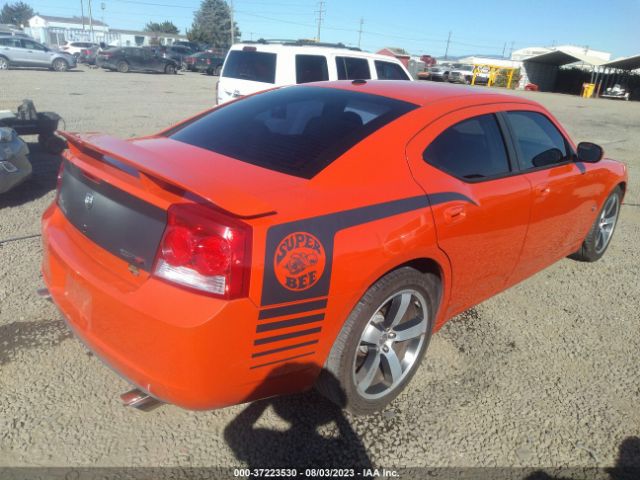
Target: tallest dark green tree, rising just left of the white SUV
(212, 24)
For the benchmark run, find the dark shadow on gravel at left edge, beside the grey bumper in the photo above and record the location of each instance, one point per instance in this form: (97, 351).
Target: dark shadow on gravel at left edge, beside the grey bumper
(42, 180)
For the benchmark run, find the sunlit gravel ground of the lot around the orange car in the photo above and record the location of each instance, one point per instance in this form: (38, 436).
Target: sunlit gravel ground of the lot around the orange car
(545, 374)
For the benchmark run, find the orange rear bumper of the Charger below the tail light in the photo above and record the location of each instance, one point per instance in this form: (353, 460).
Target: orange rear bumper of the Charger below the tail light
(180, 347)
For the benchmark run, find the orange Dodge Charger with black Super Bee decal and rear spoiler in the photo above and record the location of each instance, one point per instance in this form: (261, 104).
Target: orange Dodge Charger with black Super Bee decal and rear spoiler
(313, 235)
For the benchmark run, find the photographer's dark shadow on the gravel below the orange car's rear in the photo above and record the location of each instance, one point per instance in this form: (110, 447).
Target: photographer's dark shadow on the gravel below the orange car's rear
(318, 434)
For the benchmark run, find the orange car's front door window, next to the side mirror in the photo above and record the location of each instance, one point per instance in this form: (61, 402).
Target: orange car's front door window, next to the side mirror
(539, 142)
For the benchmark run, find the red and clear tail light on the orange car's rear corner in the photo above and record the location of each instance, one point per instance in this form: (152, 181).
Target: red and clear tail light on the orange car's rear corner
(205, 250)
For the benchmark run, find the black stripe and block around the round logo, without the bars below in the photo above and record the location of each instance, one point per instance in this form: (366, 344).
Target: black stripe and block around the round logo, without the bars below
(324, 228)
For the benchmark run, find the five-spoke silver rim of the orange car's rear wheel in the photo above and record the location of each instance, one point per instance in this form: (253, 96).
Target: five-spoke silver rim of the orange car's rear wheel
(390, 344)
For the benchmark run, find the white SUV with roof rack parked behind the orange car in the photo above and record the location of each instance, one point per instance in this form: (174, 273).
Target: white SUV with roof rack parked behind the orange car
(254, 66)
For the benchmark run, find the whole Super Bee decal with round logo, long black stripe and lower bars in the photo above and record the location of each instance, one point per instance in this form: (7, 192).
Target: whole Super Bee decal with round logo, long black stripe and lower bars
(299, 257)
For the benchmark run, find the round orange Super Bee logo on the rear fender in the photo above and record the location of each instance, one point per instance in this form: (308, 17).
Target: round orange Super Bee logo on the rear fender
(299, 261)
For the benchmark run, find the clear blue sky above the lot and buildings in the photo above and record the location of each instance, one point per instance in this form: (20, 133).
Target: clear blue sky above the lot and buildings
(419, 26)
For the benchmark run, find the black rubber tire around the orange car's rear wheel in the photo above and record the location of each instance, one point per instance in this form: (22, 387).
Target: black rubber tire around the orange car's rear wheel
(337, 380)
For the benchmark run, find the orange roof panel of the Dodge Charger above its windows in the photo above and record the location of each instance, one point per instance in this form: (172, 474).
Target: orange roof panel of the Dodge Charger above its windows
(420, 93)
